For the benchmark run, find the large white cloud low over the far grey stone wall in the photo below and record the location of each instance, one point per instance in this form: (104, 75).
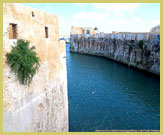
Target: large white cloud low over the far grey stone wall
(104, 21)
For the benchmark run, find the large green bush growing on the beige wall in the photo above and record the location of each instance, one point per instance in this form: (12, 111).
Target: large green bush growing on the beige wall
(23, 61)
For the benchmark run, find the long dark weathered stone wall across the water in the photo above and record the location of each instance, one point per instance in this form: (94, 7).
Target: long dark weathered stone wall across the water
(122, 47)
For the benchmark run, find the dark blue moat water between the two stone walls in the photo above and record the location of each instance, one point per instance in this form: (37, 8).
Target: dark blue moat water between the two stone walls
(105, 95)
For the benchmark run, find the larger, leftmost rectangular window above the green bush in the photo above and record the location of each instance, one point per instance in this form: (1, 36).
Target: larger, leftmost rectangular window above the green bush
(12, 31)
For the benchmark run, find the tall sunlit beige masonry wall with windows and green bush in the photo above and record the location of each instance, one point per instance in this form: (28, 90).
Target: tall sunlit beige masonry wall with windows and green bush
(43, 106)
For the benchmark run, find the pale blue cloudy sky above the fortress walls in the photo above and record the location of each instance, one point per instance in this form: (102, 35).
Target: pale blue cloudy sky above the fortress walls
(107, 17)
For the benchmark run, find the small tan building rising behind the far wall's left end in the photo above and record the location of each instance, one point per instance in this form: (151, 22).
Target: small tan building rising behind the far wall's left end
(85, 30)
